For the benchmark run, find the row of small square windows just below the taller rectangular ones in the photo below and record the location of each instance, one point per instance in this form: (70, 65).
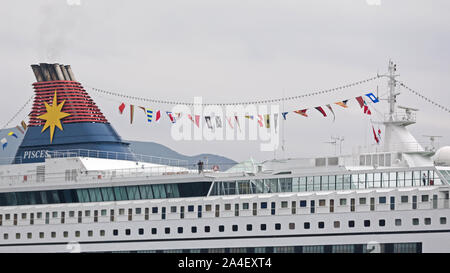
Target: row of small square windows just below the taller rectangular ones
(235, 228)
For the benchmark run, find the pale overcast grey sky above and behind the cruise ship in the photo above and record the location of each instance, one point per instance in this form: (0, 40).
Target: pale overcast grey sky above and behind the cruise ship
(235, 50)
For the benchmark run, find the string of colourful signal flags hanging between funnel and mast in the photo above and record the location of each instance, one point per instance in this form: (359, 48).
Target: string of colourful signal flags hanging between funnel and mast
(155, 116)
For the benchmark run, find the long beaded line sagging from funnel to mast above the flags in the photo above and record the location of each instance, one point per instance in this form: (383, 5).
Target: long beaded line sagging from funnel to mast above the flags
(235, 103)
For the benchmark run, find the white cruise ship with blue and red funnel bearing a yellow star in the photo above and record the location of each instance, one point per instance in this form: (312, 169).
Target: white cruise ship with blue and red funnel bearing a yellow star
(78, 188)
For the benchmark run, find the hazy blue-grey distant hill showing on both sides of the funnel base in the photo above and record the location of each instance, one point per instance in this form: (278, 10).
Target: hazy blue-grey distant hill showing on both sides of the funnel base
(137, 147)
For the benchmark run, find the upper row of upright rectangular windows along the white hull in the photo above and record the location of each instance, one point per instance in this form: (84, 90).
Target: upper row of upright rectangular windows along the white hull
(227, 207)
